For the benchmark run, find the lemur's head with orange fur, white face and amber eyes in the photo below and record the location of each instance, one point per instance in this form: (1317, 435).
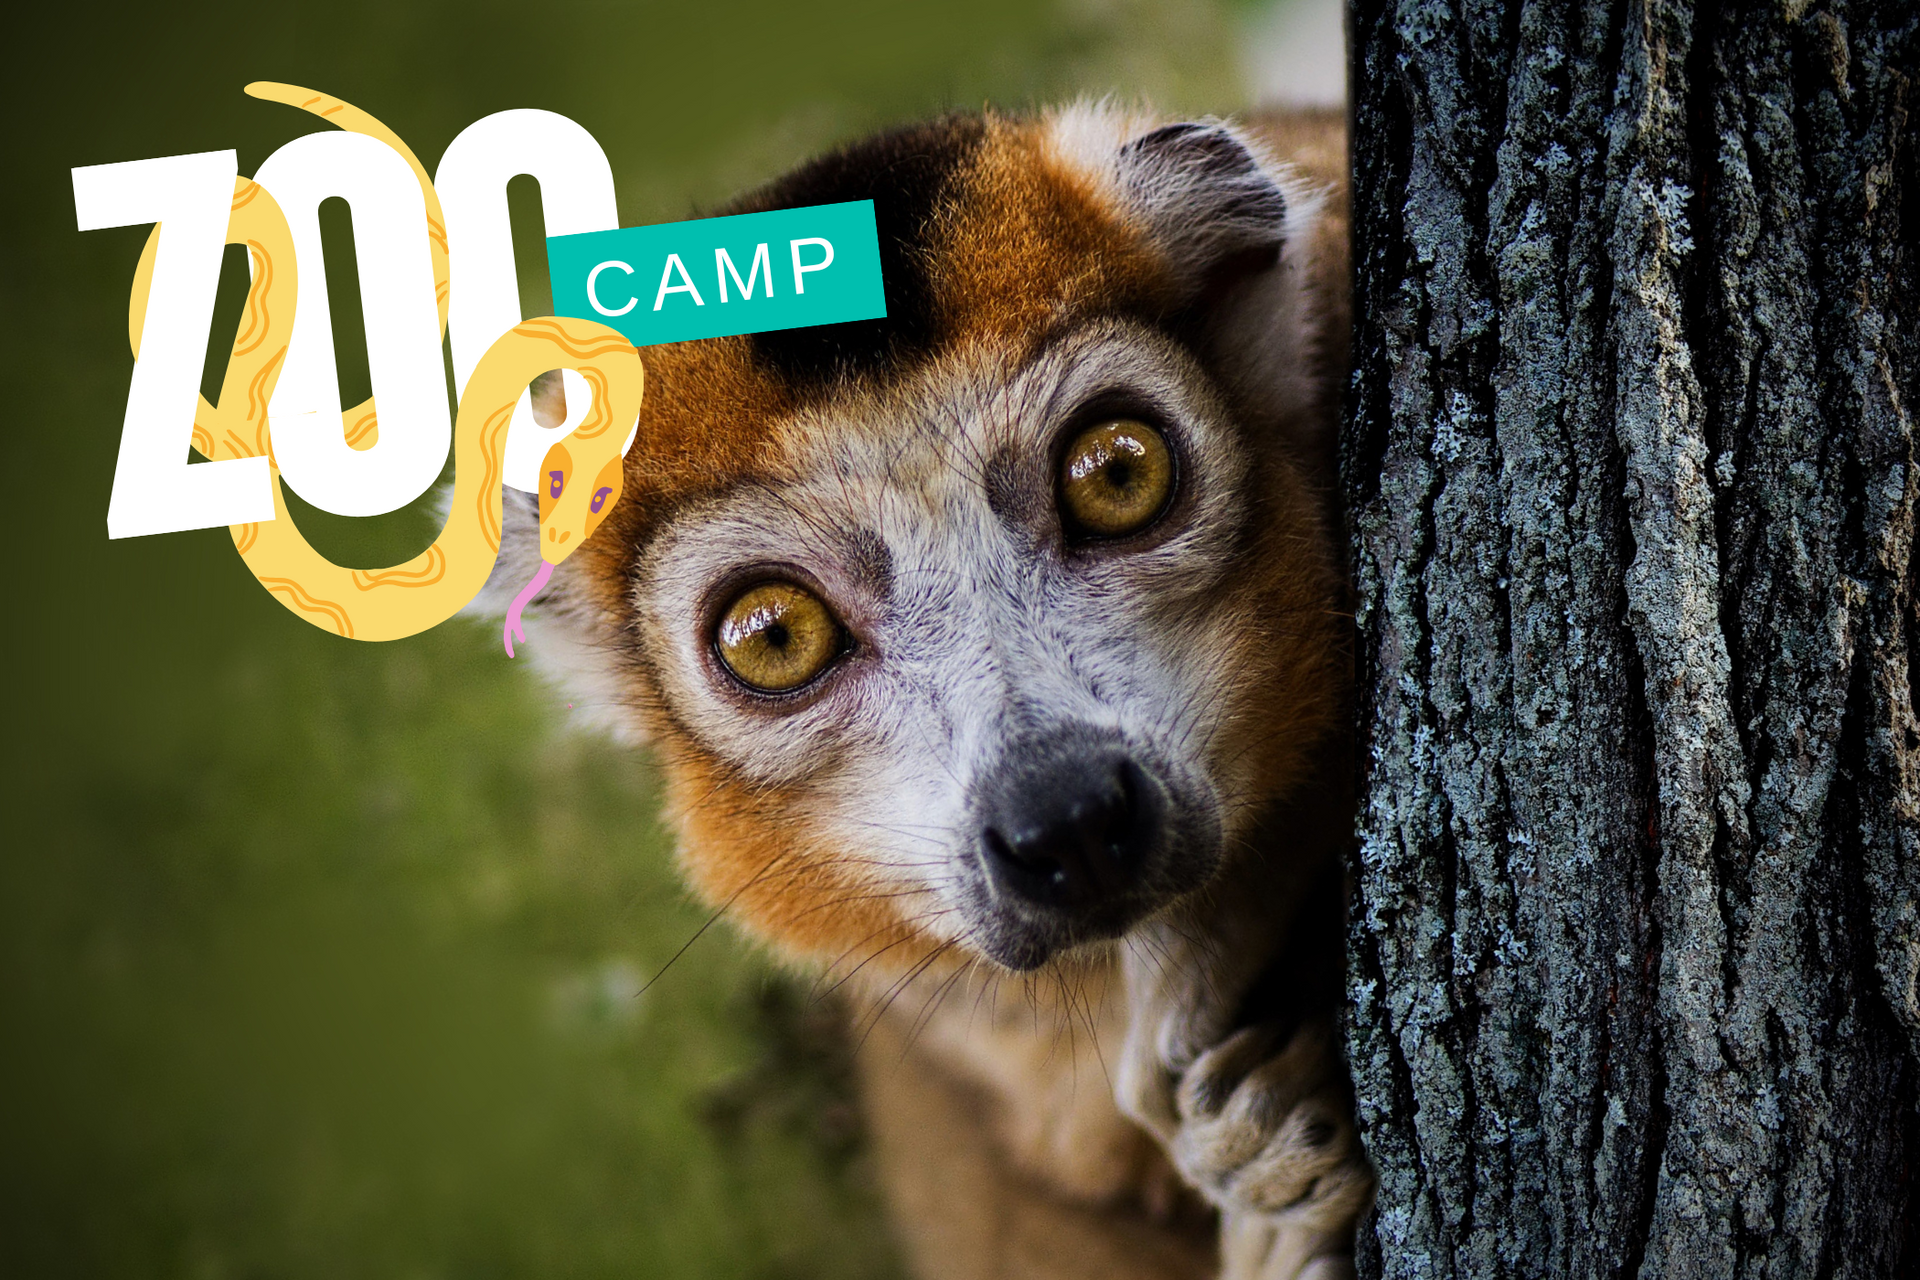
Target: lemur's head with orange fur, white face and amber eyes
(994, 627)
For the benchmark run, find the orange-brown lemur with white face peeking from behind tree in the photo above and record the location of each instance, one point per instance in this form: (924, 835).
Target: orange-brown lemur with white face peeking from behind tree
(997, 659)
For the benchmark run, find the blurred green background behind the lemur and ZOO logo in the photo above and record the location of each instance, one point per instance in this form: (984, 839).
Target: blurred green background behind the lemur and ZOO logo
(322, 959)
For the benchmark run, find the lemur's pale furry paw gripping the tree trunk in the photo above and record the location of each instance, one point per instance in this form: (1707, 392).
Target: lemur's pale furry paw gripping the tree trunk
(1234, 1064)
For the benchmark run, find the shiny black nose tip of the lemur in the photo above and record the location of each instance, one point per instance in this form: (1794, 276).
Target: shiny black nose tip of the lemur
(1074, 838)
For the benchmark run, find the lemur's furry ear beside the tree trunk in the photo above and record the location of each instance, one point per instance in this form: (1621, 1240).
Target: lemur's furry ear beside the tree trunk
(1241, 239)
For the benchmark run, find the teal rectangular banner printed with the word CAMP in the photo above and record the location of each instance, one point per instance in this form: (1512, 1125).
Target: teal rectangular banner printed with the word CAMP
(723, 275)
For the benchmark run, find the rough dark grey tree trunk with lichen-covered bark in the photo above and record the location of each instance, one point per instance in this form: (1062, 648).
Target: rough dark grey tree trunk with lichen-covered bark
(1631, 485)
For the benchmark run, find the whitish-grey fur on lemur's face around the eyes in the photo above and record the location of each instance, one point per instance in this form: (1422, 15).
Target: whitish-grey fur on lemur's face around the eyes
(926, 521)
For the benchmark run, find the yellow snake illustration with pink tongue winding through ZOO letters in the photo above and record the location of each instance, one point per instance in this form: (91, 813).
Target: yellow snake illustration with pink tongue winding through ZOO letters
(404, 600)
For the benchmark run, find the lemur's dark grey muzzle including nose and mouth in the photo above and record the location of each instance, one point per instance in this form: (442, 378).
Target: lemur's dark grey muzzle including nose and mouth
(1076, 843)
